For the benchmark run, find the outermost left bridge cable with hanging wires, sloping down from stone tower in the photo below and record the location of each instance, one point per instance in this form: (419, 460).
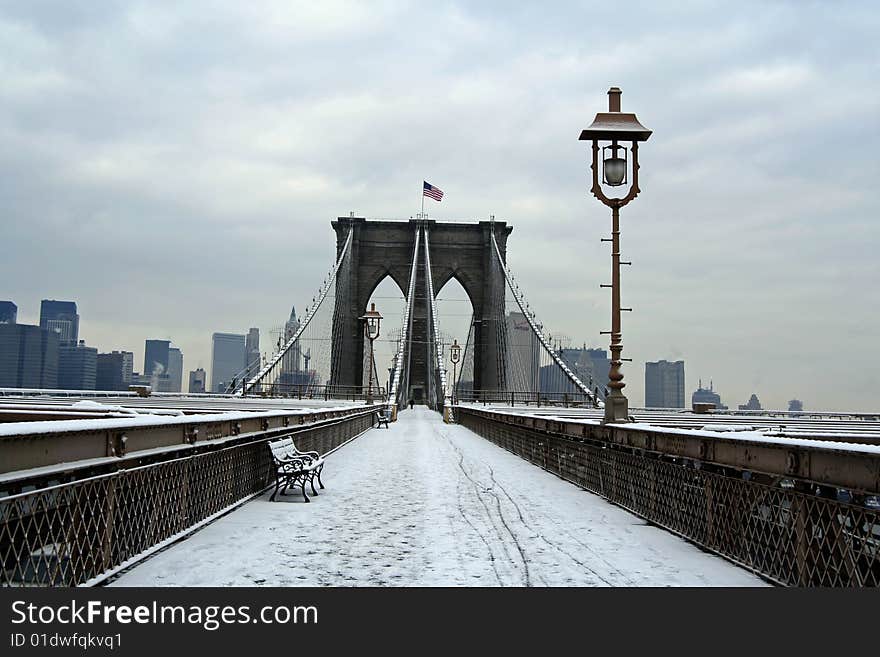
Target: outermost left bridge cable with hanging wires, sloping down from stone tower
(283, 371)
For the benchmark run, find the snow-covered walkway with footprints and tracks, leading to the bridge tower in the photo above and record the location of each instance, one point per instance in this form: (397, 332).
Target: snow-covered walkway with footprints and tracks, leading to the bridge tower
(425, 503)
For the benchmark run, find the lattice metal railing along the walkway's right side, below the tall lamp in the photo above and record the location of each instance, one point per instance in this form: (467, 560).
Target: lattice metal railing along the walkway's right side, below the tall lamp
(788, 536)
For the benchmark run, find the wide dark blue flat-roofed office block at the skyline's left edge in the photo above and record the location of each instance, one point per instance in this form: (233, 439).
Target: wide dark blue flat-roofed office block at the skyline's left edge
(28, 357)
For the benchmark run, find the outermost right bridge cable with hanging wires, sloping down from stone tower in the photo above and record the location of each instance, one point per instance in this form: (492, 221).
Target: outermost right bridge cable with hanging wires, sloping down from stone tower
(521, 360)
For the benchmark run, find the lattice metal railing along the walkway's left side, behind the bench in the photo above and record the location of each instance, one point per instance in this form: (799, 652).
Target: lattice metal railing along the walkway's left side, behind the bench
(77, 532)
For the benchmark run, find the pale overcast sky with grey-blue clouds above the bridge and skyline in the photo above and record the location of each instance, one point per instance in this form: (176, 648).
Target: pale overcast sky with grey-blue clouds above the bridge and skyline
(174, 168)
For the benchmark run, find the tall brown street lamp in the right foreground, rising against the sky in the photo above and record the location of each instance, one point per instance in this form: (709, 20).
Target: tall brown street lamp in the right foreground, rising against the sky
(610, 128)
